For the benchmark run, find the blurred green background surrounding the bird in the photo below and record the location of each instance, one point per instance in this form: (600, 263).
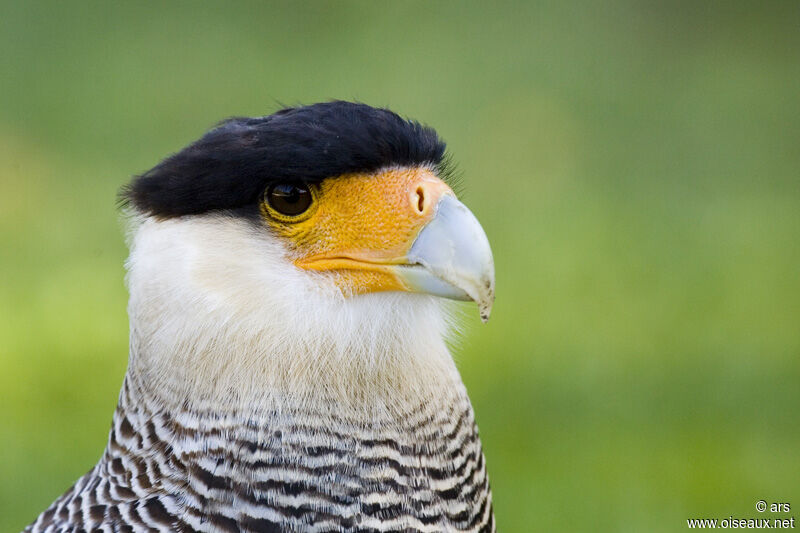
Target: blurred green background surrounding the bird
(636, 166)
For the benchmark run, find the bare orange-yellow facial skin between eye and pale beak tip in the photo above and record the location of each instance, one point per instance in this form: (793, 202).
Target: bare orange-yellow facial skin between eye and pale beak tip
(358, 224)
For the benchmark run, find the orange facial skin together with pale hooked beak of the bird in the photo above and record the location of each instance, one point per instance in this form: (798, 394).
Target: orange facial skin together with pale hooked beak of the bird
(415, 236)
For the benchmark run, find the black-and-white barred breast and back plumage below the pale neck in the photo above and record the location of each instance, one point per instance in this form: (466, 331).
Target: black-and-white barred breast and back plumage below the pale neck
(293, 470)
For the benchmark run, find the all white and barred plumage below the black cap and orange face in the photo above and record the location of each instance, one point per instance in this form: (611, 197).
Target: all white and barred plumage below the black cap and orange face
(259, 398)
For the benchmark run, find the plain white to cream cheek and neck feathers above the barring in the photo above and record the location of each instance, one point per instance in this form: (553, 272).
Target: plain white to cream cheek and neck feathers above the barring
(220, 315)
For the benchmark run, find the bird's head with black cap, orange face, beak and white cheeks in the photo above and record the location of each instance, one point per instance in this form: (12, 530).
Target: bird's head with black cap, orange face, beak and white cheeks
(318, 229)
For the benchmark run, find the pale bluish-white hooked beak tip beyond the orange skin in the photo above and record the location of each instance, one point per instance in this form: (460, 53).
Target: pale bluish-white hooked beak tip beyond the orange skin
(451, 257)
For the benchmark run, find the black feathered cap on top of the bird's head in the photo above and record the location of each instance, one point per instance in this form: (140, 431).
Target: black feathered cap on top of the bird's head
(231, 165)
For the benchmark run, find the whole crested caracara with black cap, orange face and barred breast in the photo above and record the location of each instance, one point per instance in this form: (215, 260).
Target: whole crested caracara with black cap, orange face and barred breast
(290, 280)
